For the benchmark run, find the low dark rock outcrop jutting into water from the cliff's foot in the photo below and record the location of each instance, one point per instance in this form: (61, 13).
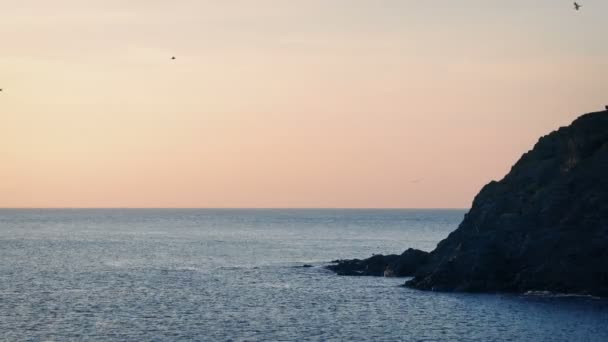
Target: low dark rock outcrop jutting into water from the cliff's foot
(403, 265)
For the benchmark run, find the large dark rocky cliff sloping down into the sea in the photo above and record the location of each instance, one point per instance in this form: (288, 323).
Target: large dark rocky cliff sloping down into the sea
(543, 227)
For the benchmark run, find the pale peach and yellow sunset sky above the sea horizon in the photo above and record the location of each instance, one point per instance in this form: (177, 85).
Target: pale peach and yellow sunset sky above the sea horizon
(275, 103)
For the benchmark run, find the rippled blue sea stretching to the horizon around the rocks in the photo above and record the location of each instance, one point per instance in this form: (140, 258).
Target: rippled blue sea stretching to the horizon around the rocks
(141, 275)
